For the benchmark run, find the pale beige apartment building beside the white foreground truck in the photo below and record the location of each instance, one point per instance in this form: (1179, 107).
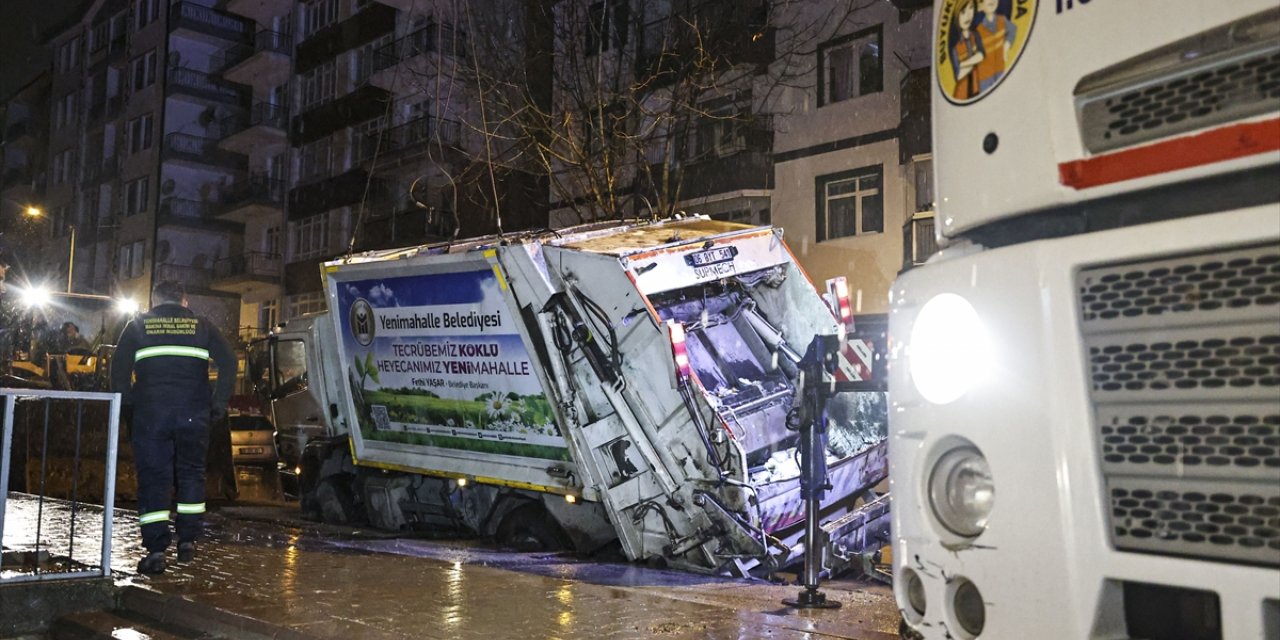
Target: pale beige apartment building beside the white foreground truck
(852, 147)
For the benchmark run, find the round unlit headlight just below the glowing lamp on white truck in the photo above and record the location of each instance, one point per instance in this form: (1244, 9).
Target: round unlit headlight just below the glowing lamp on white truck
(962, 491)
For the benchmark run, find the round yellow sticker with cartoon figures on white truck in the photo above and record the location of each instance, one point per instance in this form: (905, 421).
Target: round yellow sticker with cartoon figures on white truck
(979, 43)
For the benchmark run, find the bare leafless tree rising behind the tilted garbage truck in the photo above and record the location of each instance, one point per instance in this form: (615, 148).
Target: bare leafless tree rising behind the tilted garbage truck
(620, 102)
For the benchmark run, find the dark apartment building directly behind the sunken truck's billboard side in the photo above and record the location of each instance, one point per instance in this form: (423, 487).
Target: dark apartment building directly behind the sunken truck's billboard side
(390, 145)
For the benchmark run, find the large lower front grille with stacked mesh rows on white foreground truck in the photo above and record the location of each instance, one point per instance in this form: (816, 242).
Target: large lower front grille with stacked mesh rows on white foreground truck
(1185, 364)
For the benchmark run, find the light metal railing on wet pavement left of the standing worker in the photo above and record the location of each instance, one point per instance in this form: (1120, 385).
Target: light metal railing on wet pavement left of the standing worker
(62, 427)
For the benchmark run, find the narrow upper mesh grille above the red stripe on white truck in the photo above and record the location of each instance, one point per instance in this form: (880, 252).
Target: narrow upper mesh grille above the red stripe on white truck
(1215, 92)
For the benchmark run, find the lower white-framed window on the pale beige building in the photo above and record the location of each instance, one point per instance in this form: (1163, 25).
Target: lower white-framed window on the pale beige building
(851, 204)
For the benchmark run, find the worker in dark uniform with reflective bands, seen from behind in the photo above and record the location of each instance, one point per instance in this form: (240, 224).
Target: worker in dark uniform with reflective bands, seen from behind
(168, 350)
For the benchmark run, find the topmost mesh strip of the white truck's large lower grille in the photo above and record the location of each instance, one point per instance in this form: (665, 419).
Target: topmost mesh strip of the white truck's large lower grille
(1236, 281)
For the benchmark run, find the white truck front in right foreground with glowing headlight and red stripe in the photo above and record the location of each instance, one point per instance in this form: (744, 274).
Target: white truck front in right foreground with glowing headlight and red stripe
(1086, 381)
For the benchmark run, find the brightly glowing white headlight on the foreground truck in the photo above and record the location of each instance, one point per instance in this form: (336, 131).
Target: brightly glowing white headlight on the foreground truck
(948, 349)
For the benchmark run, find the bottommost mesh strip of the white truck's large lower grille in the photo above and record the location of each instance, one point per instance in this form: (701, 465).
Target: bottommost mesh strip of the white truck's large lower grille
(1219, 520)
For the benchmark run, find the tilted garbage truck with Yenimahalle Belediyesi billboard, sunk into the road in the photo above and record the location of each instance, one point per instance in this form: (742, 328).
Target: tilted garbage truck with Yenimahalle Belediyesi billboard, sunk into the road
(609, 382)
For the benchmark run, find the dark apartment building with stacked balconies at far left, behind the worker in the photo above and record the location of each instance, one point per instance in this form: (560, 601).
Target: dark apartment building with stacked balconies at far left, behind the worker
(135, 171)
